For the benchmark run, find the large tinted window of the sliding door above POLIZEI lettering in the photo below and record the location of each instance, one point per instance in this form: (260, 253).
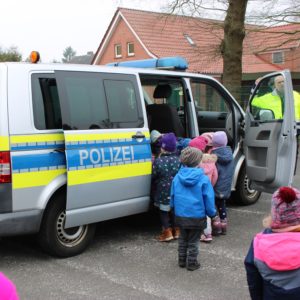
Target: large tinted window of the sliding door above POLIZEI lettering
(98, 101)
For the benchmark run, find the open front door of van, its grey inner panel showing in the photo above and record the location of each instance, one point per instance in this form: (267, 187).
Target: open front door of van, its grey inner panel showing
(270, 144)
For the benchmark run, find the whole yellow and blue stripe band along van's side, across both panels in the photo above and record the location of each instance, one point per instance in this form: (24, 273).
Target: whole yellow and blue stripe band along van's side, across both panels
(91, 158)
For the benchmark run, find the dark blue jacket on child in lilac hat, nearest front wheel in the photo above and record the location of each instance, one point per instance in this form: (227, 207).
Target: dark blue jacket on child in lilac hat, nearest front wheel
(225, 167)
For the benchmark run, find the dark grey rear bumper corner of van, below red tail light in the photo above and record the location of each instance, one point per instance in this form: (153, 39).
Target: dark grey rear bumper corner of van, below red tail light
(23, 222)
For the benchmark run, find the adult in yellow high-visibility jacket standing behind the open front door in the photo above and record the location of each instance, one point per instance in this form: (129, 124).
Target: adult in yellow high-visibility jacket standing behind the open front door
(274, 100)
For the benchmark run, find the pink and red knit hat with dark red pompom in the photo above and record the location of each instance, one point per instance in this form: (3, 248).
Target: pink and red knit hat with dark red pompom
(285, 210)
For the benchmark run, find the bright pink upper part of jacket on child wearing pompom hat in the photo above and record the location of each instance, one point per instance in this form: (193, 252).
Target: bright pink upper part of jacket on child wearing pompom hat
(279, 251)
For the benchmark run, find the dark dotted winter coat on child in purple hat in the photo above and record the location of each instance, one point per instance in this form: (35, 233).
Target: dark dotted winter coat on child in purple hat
(165, 168)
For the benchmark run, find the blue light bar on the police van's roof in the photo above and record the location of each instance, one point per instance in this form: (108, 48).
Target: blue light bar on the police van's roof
(171, 63)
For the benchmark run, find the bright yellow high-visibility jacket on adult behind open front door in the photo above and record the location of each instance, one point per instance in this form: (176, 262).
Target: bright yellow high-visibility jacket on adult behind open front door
(273, 102)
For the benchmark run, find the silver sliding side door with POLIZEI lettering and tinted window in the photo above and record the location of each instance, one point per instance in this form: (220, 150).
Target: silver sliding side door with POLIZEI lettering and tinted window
(107, 146)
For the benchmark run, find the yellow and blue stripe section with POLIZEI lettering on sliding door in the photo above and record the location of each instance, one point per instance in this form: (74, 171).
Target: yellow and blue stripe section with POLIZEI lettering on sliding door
(106, 156)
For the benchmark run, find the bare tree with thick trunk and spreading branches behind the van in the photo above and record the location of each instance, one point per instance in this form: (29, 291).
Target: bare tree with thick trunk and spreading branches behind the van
(237, 15)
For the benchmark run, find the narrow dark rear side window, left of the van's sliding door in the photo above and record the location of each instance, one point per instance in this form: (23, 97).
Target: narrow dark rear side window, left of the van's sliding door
(46, 107)
